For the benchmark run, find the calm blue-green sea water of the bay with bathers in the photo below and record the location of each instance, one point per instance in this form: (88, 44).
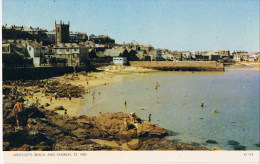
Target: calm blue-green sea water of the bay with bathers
(175, 105)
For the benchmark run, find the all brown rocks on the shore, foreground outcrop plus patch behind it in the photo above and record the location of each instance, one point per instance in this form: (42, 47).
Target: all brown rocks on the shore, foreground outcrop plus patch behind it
(45, 127)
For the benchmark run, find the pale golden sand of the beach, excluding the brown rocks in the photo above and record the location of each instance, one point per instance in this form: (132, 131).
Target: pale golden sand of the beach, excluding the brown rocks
(104, 76)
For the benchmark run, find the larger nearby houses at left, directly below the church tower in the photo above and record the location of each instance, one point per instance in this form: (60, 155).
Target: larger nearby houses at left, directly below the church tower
(63, 54)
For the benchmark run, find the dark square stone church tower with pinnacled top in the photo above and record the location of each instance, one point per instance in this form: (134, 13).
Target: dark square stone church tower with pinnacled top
(62, 33)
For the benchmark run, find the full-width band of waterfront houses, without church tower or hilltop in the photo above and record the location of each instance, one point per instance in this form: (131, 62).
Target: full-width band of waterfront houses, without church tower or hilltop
(73, 54)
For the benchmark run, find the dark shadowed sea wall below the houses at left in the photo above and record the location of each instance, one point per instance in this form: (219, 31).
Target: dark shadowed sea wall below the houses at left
(32, 73)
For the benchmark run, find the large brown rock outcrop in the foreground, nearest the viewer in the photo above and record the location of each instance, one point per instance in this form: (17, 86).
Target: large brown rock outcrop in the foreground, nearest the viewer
(49, 131)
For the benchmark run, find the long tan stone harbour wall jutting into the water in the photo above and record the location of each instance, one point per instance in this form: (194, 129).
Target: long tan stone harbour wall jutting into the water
(180, 65)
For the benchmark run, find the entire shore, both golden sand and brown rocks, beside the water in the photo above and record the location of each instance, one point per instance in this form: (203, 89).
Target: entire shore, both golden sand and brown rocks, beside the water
(47, 128)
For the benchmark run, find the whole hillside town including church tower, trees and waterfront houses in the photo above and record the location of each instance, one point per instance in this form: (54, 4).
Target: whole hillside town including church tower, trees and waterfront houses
(37, 47)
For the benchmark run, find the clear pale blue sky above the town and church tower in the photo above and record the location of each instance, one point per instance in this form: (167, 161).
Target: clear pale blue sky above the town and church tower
(174, 24)
